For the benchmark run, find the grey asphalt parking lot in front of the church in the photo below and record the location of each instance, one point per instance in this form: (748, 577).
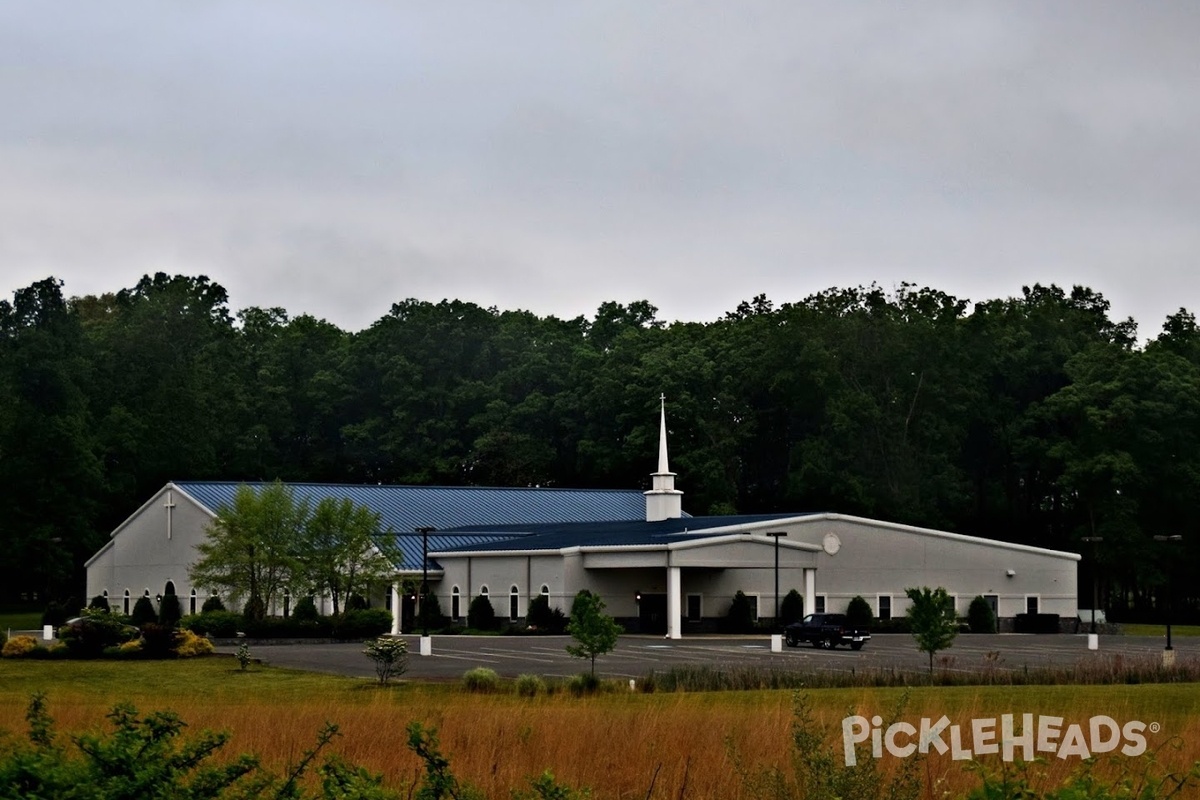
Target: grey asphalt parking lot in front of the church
(638, 655)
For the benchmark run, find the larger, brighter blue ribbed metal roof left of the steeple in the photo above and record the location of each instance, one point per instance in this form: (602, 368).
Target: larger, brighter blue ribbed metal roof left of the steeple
(491, 512)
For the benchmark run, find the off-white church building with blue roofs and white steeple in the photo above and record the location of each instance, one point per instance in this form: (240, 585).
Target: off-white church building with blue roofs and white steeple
(658, 569)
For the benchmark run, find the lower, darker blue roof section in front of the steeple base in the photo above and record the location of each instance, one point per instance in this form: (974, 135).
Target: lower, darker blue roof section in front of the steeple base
(608, 534)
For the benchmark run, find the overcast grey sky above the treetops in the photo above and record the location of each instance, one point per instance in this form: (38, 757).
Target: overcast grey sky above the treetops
(337, 158)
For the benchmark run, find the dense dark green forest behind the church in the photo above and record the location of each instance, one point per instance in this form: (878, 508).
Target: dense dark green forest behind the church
(1034, 419)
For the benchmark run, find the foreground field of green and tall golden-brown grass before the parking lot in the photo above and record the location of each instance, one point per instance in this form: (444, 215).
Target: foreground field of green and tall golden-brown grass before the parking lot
(614, 743)
